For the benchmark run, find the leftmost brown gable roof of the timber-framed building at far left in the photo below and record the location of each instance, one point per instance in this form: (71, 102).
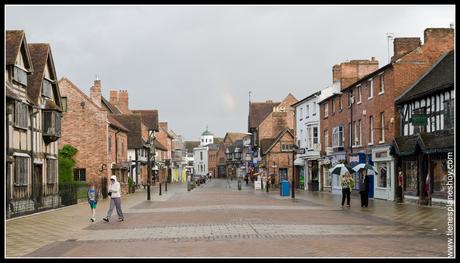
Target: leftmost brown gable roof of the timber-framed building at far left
(15, 40)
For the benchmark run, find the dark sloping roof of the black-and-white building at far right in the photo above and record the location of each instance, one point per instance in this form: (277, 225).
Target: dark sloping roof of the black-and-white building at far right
(438, 78)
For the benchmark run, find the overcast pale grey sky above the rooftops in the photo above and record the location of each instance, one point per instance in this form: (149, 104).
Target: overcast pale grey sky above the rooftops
(196, 64)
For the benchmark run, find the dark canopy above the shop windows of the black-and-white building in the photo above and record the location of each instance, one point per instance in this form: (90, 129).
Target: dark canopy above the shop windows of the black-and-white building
(428, 143)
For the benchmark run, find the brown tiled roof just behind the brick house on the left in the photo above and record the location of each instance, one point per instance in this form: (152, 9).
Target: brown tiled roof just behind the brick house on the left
(133, 123)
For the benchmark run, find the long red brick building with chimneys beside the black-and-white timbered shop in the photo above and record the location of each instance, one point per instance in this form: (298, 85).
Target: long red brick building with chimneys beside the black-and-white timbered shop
(370, 122)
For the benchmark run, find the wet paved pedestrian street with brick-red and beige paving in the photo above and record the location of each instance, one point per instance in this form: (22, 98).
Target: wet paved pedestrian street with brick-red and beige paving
(217, 220)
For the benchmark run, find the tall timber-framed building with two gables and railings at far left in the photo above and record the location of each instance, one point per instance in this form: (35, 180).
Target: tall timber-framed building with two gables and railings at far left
(33, 118)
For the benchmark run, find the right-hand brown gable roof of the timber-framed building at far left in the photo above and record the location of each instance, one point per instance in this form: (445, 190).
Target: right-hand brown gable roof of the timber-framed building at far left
(41, 57)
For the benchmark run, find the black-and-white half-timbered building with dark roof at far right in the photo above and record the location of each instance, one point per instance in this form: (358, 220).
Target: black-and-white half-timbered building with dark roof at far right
(427, 133)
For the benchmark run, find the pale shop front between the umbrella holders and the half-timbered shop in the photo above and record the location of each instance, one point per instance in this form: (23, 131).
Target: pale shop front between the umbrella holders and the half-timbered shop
(384, 181)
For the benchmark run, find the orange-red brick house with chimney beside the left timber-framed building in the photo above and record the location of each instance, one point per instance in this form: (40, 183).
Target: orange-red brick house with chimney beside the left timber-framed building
(101, 141)
